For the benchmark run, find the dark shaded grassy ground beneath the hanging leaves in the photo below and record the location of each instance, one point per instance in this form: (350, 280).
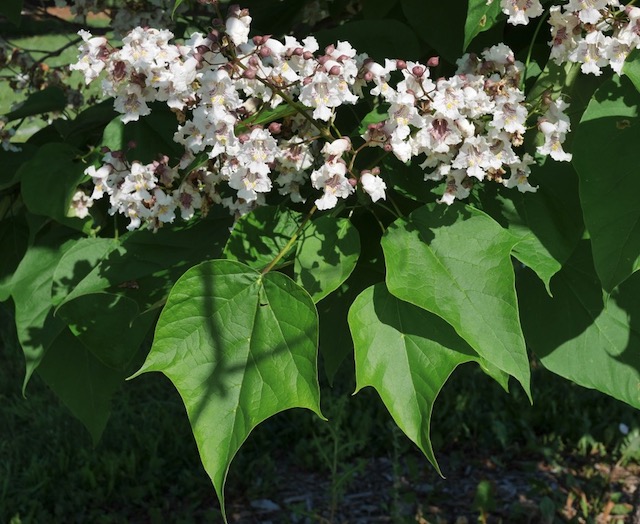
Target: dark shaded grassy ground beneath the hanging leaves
(146, 468)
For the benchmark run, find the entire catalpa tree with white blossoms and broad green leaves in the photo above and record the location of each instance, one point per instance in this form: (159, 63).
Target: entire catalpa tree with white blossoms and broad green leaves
(422, 185)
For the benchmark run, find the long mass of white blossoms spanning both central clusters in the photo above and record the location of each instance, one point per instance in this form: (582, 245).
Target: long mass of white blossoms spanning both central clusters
(261, 113)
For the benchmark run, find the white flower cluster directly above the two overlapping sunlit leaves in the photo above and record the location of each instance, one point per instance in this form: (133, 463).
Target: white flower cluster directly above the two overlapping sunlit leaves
(466, 128)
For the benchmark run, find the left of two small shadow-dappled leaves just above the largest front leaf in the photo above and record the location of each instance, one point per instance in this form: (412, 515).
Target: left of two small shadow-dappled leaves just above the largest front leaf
(259, 236)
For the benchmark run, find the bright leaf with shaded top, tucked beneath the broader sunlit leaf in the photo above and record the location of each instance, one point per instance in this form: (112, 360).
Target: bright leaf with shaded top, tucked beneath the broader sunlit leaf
(406, 354)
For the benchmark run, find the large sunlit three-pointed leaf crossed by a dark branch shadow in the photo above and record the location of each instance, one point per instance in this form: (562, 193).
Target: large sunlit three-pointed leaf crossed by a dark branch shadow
(239, 347)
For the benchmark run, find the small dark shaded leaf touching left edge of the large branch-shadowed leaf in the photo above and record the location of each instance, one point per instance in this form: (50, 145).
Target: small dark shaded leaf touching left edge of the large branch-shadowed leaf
(108, 325)
